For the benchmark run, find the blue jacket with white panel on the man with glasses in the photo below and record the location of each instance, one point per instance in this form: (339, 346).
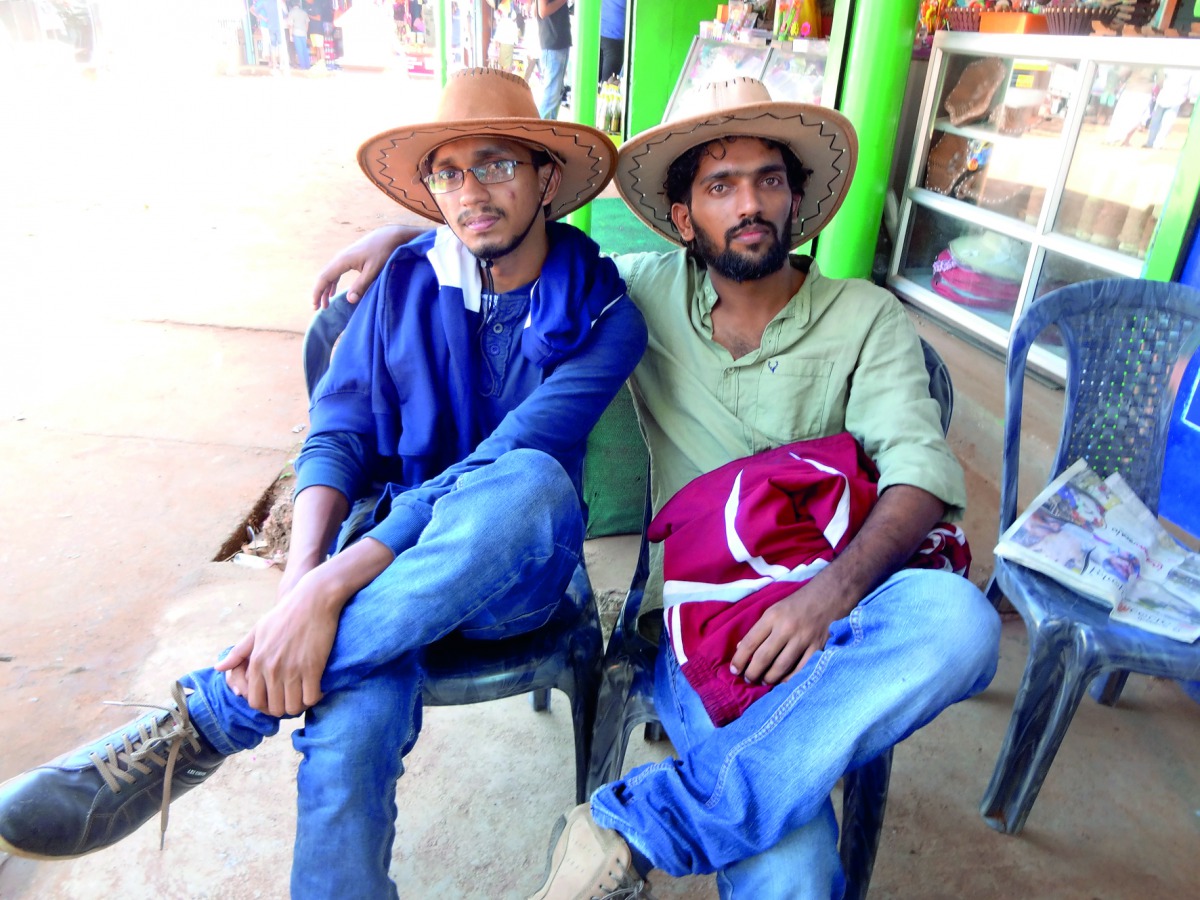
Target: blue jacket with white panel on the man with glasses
(401, 407)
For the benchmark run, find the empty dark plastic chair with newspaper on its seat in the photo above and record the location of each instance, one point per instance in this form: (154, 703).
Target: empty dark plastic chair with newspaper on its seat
(1126, 343)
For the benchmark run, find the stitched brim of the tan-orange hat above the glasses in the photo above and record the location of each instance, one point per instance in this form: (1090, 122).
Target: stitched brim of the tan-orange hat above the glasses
(586, 155)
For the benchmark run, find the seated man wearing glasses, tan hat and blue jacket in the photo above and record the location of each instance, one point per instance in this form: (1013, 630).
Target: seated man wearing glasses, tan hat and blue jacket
(445, 458)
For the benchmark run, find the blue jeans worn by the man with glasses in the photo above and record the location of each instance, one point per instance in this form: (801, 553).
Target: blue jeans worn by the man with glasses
(494, 562)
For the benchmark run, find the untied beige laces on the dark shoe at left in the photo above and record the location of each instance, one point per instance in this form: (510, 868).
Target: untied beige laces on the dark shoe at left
(146, 748)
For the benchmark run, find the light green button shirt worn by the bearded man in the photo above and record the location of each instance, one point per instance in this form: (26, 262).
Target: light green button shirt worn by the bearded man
(842, 356)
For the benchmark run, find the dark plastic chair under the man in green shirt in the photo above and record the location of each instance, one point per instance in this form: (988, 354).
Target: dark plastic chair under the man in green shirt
(627, 700)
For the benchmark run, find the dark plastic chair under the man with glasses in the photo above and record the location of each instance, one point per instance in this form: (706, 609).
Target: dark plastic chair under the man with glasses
(459, 671)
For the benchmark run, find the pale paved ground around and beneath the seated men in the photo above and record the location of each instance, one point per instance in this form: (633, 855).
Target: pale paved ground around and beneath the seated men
(160, 236)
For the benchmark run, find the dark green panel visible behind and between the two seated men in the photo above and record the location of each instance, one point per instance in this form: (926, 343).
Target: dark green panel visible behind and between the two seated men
(615, 467)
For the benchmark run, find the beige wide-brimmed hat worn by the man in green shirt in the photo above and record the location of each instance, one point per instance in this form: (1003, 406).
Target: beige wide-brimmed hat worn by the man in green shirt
(823, 140)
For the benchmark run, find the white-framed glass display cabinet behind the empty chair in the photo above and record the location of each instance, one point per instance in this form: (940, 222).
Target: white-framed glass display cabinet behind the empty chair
(1042, 161)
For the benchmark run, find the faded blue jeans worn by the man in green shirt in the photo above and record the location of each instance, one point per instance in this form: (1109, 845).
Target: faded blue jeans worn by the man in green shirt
(751, 801)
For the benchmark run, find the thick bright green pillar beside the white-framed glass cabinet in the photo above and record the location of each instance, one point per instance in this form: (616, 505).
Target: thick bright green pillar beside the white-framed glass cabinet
(878, 58)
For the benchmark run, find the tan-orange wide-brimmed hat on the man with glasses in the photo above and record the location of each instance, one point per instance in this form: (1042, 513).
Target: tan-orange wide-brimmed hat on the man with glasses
(484, 103)
